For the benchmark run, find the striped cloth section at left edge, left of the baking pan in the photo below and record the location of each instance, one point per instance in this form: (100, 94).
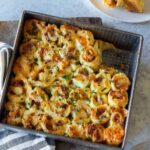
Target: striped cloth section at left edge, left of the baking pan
(5, 55)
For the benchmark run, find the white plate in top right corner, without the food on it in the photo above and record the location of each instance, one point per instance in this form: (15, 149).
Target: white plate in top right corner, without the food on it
(122, 14)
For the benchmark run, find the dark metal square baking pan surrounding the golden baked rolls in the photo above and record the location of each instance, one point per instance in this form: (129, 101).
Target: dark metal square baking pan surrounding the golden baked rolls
(125, 57)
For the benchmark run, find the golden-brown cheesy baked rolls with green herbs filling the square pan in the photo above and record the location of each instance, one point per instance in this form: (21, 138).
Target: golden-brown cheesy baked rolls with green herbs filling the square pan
(59, 85)
